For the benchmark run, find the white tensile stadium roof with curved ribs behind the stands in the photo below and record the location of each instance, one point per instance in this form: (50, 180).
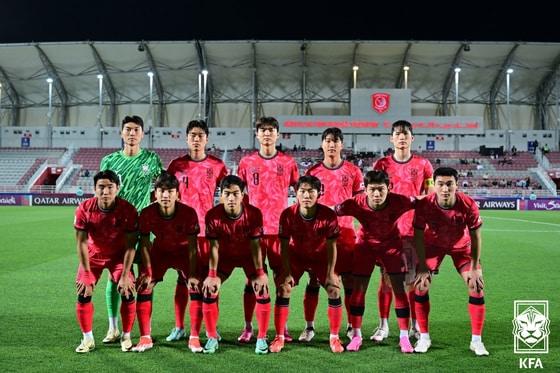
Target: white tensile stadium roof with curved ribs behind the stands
(248, 79)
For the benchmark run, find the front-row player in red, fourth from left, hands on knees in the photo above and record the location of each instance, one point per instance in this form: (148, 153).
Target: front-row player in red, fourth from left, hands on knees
(308, 233)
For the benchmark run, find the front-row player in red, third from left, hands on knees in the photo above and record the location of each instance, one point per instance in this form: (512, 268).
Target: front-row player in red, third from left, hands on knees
(234, 230)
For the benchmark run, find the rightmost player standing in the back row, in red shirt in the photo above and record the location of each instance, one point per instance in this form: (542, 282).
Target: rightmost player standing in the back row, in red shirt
(411, 176)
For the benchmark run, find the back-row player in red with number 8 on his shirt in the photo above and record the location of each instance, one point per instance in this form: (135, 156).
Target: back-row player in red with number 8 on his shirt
(268, 174)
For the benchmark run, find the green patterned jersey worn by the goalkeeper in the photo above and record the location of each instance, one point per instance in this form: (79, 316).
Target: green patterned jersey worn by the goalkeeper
(136, 174)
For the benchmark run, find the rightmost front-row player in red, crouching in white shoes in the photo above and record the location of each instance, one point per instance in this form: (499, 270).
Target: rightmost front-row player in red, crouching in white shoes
(448, 222)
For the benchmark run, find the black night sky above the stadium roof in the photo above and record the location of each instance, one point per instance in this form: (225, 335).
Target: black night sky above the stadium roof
(24, 21)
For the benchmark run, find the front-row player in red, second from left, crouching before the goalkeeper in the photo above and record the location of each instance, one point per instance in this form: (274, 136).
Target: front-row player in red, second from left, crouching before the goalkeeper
(175, 227)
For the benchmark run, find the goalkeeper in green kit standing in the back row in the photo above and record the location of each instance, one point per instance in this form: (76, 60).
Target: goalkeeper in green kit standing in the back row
(136, 168)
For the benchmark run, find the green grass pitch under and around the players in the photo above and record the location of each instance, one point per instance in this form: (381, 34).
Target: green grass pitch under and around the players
(521, 258)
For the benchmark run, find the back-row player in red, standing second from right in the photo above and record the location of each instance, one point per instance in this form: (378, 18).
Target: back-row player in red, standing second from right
(340, 180)
